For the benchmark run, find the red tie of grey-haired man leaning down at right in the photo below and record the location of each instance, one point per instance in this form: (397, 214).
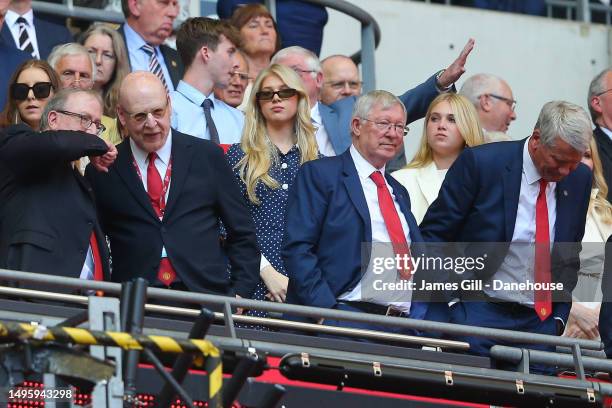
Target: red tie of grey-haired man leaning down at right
(543, 304)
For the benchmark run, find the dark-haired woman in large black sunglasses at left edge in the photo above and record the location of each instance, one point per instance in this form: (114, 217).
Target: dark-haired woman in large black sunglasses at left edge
(30, 88)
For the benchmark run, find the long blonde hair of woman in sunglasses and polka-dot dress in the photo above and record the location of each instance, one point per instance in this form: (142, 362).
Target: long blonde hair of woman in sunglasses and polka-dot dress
(259, 152)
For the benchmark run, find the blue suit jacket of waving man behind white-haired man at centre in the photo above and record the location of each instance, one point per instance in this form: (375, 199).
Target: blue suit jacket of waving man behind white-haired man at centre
(337, 117)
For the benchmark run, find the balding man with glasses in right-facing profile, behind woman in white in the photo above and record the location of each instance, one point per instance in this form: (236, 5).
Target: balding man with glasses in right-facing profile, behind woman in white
(494, 102)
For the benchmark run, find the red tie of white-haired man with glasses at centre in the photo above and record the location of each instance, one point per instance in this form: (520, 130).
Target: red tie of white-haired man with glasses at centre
(393, 224)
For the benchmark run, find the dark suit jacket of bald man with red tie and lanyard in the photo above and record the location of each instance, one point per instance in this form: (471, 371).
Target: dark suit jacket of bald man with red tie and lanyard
(202, 191)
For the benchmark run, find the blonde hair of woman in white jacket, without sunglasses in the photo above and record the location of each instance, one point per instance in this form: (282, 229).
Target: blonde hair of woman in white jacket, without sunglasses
(467, 122)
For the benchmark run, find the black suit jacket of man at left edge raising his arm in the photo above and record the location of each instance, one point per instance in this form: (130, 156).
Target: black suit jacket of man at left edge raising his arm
(47, 209)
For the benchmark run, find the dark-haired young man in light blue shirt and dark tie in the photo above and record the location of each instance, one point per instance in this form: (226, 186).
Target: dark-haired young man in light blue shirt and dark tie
(208, 50)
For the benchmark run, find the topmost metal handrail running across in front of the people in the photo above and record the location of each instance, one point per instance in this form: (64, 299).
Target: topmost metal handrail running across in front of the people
(307, 311)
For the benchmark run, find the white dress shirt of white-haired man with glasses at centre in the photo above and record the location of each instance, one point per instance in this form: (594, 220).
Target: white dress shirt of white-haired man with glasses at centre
(380, 235)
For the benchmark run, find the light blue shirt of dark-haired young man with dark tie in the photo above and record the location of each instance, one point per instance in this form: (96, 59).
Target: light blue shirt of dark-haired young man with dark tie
(188, 115)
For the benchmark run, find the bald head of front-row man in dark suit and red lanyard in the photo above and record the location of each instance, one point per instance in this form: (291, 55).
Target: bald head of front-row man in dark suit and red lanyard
(144, 110)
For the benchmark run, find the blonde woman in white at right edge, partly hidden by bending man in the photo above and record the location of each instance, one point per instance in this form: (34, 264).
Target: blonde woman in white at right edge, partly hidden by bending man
(584, 315)
